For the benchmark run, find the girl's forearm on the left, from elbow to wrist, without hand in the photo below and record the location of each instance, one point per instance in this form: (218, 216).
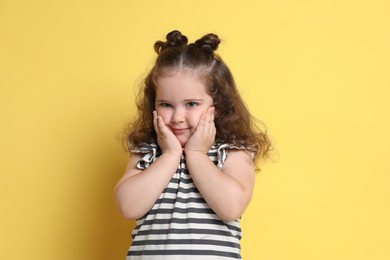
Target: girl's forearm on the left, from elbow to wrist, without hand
(137, 194)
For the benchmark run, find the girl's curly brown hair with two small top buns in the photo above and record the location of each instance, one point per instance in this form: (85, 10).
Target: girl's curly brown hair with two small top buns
(234, 123)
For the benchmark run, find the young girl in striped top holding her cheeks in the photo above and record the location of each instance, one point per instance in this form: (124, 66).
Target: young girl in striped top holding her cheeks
(193, 146)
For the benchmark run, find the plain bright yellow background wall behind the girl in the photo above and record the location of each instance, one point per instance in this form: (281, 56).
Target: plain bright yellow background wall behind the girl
(316, 72)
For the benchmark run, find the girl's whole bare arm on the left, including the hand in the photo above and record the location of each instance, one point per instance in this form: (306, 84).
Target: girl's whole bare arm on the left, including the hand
(137, 191)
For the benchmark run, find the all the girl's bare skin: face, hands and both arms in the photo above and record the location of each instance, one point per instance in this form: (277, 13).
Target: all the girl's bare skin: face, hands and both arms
(184, 121)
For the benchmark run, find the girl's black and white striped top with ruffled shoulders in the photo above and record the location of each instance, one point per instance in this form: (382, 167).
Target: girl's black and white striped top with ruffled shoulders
(181, 225)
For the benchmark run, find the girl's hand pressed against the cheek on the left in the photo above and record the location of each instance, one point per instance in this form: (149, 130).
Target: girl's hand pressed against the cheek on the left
(166, 140)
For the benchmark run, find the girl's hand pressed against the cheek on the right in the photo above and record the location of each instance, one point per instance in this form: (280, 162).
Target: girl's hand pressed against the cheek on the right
(204, 136)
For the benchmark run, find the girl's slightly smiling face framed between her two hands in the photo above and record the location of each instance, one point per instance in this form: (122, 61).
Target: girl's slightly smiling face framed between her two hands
(181, 100)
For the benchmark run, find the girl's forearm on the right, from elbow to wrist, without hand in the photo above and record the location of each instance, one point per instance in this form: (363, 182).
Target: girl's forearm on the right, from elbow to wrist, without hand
(224, 194)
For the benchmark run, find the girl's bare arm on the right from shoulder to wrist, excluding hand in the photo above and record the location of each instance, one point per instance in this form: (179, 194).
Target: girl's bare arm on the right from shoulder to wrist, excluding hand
(229, 191)
